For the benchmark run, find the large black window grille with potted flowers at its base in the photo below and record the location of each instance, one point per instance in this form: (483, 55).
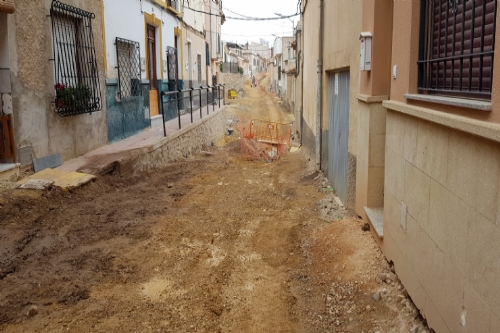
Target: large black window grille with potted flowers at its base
(76, 79)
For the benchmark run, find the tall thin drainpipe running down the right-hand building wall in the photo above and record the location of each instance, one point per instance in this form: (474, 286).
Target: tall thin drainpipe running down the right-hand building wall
(319, 93)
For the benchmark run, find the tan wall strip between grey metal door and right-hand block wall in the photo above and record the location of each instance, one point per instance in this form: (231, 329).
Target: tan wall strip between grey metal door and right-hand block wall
(374, 87)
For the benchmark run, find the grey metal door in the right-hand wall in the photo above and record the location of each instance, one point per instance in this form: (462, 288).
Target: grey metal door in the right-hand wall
(338, 133)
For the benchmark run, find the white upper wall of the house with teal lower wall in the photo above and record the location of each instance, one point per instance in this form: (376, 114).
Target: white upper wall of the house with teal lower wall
(124, 19)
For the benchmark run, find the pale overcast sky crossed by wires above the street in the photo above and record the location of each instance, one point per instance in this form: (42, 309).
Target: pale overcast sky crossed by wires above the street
(243, 31)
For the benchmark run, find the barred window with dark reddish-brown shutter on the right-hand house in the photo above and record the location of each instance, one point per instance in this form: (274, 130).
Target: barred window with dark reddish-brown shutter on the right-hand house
(457, 47)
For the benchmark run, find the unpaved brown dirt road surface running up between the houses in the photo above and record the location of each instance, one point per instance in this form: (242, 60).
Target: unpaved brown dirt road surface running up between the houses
(213, 243)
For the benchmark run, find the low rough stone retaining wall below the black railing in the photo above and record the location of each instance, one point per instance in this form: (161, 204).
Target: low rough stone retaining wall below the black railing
(188, 141)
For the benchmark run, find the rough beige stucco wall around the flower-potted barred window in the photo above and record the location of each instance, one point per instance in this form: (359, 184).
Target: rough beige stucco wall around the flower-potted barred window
(32, 78)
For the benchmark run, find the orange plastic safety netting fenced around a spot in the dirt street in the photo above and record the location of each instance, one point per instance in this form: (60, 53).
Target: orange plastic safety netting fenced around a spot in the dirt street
(265, 140)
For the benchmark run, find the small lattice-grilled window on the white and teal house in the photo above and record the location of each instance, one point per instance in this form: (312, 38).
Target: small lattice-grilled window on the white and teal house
(129, 67)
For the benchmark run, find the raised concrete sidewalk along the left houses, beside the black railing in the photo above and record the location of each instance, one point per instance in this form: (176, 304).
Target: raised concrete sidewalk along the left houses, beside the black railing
(110, 157)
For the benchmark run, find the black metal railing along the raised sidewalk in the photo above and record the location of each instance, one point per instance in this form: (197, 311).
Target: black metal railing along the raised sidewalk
(187, 101)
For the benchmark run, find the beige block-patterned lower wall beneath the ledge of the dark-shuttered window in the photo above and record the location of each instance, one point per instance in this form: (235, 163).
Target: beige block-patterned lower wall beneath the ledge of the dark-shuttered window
(442, 222)
